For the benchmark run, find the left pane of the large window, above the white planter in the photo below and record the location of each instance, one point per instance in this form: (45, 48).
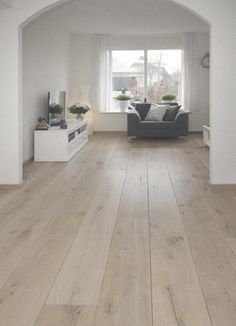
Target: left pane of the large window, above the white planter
(127, 75)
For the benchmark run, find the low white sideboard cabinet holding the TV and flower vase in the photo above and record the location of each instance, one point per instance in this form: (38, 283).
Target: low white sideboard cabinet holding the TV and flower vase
(56, 144)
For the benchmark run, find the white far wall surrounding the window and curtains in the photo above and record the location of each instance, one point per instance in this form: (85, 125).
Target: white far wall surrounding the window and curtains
(82, 74)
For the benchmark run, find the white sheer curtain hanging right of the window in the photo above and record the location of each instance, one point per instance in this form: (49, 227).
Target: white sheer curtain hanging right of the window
(190, 80)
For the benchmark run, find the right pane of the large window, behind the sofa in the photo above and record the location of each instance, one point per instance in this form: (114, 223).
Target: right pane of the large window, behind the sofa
(163, 74)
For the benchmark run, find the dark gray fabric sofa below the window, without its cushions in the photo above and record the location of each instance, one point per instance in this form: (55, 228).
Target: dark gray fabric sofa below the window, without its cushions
(138, 127)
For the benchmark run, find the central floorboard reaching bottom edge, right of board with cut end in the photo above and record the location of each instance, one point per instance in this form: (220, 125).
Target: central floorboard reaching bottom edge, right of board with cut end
(126, 292)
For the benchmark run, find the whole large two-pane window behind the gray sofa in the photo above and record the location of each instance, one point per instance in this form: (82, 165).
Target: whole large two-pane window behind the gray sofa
(146, 74)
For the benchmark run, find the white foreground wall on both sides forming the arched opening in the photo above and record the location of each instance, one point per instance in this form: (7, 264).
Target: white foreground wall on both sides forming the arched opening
(222, 157)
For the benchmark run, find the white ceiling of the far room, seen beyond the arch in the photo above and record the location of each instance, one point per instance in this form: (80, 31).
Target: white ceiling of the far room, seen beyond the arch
(125, 16)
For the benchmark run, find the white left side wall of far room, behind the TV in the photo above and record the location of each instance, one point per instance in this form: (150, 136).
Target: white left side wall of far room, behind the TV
(46, 63)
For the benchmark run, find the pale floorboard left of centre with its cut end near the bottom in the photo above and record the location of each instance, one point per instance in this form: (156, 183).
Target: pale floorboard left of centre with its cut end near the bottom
(79, 281)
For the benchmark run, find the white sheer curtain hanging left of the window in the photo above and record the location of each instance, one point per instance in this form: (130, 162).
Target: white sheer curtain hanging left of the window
(101, 73)
